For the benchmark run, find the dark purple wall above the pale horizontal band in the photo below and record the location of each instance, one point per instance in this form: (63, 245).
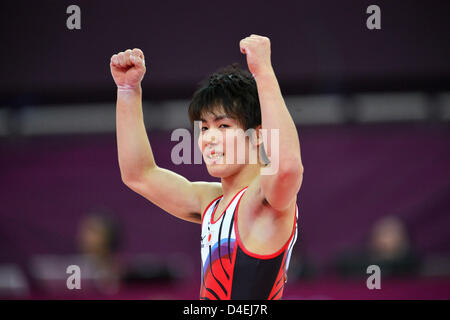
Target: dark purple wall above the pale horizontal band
(317, 46)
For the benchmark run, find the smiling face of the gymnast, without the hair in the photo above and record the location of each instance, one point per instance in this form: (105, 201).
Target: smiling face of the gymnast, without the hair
(224, 144)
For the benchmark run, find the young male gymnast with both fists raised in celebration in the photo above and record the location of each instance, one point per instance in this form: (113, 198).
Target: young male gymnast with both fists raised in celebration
(249, 220)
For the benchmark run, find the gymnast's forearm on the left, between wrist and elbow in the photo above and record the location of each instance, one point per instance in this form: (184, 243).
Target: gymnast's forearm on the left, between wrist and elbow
(135, 153)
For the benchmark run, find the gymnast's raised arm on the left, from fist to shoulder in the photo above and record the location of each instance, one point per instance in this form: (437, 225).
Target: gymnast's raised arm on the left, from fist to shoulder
(166, 189)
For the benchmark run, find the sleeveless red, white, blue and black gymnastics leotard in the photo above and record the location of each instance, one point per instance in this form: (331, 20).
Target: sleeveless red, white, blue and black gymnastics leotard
(230, 271)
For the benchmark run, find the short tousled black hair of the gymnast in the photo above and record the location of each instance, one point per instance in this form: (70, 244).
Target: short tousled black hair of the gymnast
(232, 88)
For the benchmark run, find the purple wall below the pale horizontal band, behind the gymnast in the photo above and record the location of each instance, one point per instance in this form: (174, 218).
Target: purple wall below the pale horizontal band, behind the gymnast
(353, 175)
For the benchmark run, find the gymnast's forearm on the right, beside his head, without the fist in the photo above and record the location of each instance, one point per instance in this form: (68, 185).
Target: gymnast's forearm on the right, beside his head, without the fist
(275, 115)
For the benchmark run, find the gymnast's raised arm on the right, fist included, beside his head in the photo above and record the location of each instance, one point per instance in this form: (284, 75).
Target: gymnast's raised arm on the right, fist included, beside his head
(281, 188)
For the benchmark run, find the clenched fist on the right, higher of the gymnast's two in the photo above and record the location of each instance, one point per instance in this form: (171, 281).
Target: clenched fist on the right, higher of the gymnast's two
(257, 50)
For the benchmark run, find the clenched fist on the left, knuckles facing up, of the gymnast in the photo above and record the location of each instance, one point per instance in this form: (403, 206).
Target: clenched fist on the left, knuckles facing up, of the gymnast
(128, 68)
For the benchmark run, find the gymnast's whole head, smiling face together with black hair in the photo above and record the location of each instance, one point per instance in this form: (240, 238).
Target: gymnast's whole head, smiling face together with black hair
(227, 106)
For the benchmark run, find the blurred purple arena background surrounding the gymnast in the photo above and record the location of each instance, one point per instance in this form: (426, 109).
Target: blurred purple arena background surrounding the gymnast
(372, 109)
